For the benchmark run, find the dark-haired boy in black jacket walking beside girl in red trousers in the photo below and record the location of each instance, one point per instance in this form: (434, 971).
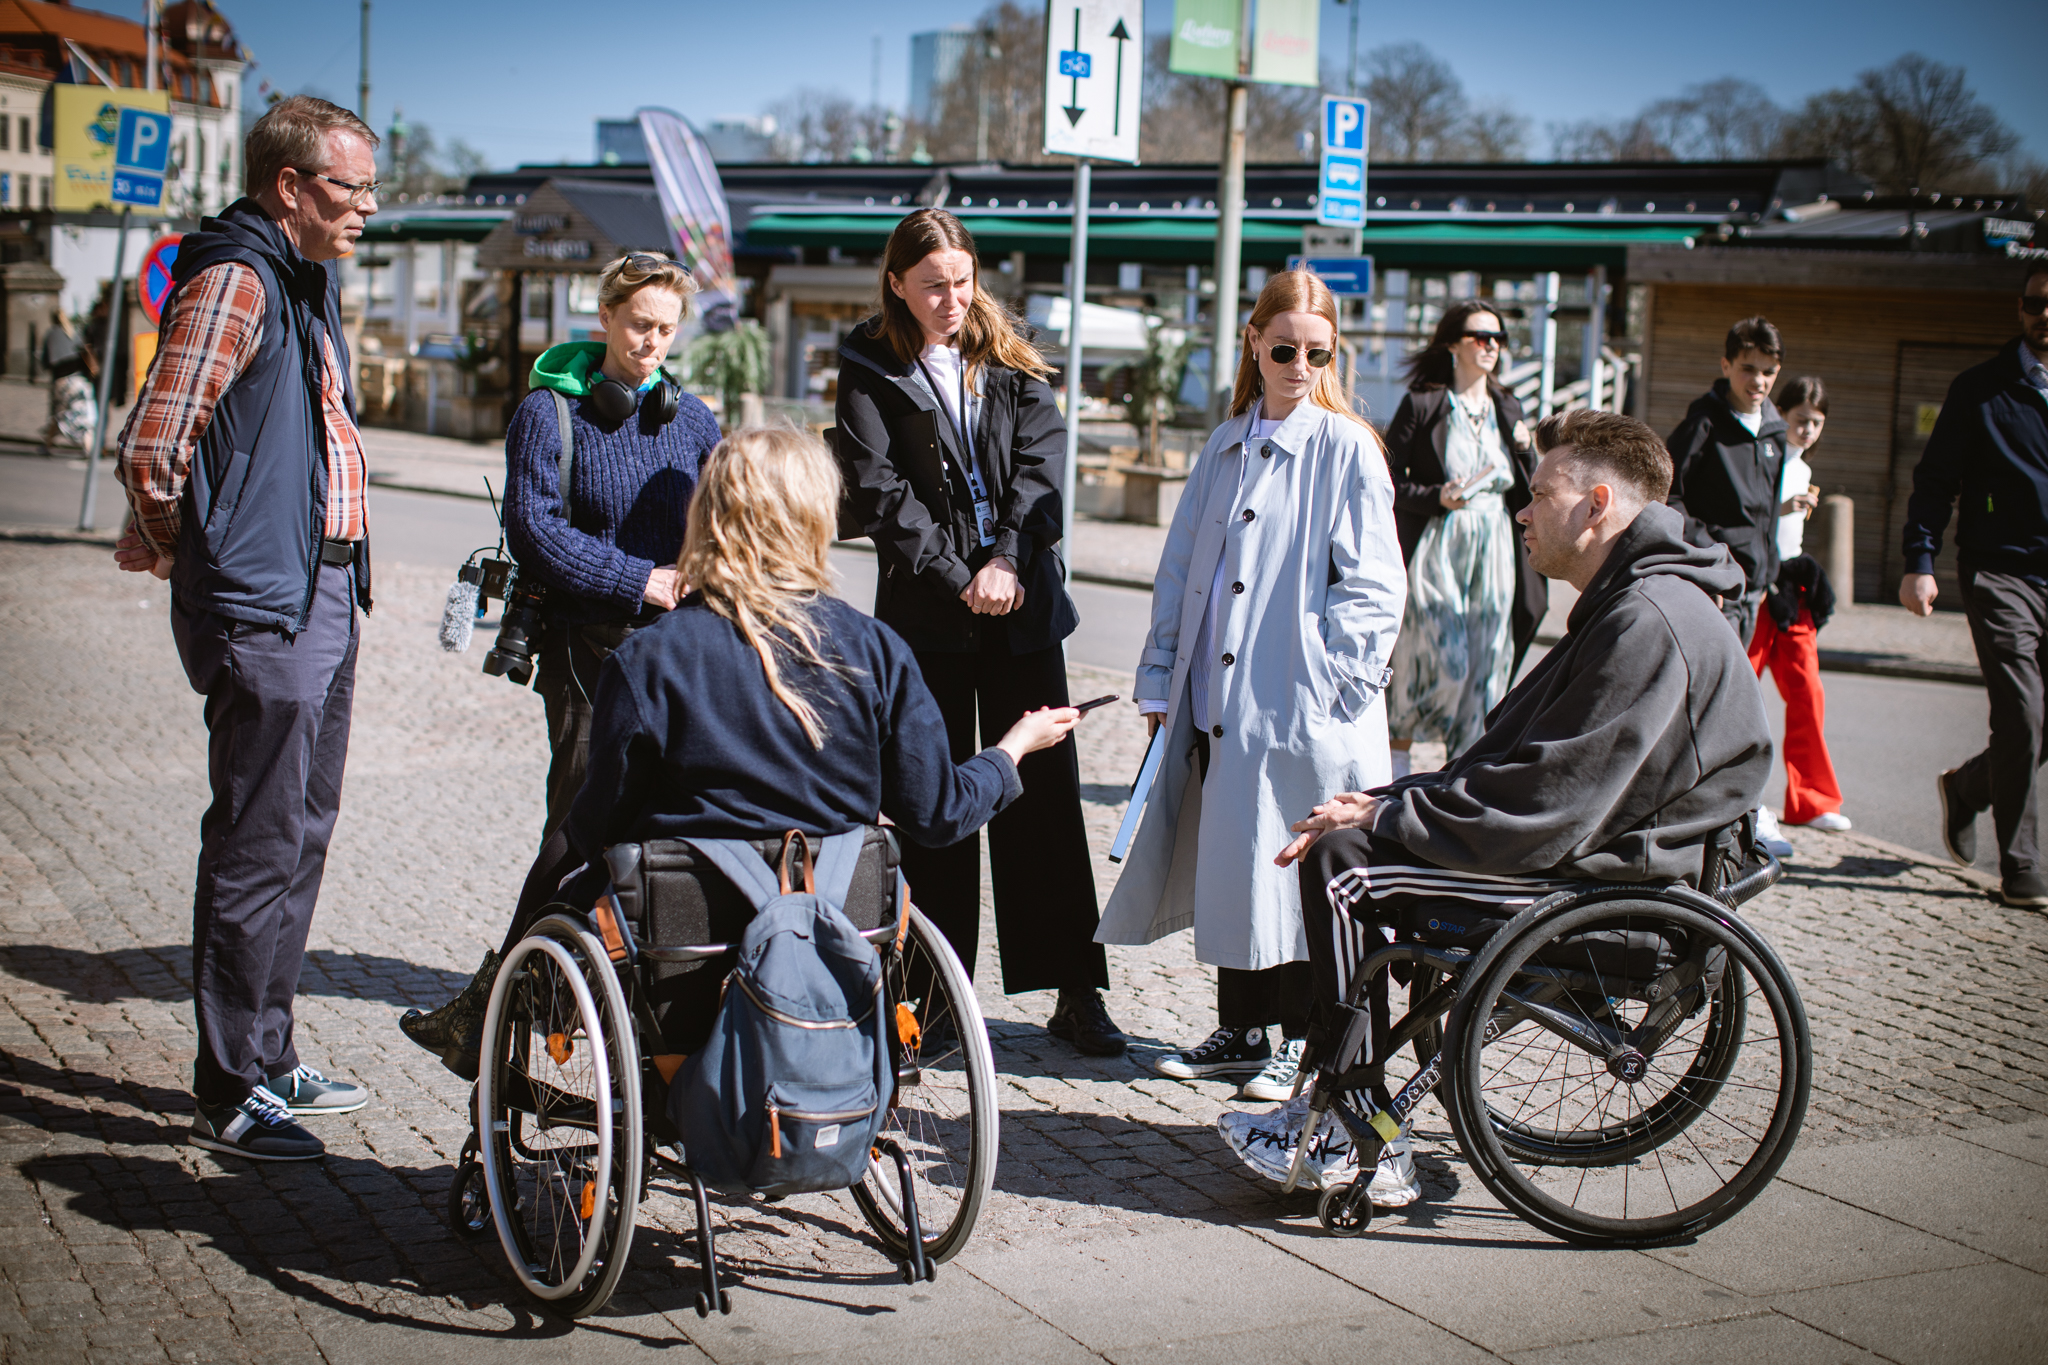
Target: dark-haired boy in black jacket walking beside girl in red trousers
(1727, 459)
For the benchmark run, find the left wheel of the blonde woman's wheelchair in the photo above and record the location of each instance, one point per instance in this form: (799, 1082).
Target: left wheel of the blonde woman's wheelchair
(562, 1114)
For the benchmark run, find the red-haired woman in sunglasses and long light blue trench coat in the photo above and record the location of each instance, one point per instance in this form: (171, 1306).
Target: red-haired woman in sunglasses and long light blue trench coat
(1275, 615)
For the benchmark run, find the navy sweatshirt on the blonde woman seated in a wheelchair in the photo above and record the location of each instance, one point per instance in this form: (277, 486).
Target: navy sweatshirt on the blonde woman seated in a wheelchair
(687, 740)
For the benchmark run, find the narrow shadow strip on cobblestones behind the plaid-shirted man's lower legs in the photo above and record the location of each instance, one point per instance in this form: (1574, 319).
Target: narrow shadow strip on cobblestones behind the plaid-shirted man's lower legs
(167, 975)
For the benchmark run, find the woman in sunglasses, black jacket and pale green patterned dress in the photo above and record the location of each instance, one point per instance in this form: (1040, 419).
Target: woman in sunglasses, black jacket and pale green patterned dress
(1461, 457)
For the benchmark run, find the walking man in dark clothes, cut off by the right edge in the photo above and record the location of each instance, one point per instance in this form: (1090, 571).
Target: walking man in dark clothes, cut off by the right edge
(1990, 449)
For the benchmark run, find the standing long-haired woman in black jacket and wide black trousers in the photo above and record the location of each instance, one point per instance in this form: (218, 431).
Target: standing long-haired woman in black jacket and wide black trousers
(951, 445)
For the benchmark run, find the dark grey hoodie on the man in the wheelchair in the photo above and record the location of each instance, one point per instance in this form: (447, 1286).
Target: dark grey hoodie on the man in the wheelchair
(1635, 738)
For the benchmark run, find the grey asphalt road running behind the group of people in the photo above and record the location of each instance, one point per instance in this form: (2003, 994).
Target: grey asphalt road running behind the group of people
(1889, 738)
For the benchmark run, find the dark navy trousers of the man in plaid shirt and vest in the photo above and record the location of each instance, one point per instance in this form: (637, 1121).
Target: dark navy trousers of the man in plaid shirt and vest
(278, 740)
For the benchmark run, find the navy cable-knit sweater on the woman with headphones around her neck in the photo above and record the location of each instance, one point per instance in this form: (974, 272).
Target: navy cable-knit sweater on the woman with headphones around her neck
(628, 502)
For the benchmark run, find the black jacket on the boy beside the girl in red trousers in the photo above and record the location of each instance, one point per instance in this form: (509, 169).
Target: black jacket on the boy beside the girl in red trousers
(1725, 484)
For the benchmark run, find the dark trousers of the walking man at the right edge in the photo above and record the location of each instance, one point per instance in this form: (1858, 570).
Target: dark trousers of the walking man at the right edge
(2010, 627)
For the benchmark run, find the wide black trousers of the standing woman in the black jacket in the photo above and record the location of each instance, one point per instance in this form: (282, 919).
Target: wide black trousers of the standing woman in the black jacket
(1046, 889)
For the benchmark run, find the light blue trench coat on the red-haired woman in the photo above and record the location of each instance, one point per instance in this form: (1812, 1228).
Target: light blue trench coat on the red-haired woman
(1312, 539)
